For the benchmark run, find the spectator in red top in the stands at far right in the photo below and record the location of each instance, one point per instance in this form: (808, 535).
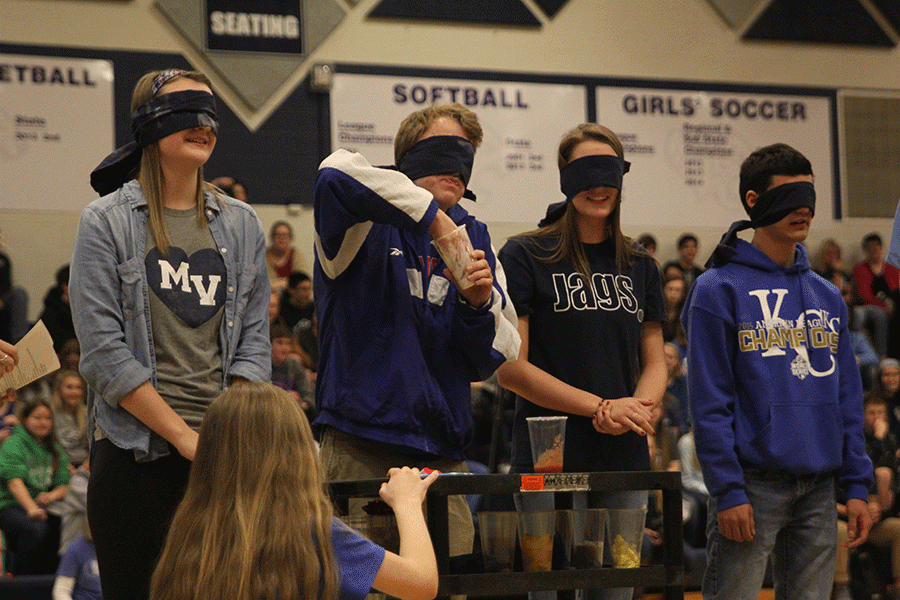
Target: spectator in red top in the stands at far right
(876, 284)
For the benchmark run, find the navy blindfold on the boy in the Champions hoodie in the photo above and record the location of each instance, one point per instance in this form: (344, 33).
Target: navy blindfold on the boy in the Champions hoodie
(771, 206)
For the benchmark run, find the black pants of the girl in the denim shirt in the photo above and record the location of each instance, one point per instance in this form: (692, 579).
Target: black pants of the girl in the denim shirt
(130, 506)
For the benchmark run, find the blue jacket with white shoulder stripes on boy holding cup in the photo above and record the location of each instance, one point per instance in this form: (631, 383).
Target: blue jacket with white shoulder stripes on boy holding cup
(398, 345)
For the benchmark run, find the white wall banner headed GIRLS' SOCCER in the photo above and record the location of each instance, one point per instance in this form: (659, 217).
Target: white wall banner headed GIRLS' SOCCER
(686, 148)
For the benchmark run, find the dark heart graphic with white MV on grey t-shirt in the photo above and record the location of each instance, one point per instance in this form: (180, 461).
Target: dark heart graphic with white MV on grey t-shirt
(191, 287)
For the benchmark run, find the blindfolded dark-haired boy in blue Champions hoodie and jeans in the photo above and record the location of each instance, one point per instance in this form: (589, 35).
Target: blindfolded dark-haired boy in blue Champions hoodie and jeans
(775, 395)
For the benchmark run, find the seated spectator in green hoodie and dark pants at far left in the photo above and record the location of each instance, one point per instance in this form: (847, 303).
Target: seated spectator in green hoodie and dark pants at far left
(34, 472)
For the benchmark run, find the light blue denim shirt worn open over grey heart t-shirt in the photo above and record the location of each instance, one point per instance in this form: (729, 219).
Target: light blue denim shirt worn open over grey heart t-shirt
(109, 296)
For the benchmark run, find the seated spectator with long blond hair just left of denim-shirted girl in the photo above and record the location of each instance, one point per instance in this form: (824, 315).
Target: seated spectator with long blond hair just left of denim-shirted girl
(70, 416)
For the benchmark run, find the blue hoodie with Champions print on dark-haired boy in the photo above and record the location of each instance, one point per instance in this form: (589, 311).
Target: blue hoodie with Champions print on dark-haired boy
(772, 379)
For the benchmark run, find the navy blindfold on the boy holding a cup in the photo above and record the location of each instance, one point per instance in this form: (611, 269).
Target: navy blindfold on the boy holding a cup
(440, 155)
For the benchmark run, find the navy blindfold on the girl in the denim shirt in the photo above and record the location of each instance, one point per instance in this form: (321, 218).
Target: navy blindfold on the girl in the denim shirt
(161, 117)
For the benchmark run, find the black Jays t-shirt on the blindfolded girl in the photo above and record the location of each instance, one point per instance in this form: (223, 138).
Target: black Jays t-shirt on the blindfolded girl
(586, 337)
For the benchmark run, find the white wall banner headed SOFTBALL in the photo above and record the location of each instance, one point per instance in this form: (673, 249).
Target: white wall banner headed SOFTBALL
(515, 175)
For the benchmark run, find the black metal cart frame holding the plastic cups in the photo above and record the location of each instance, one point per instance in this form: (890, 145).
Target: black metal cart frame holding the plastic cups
(668, 575)
